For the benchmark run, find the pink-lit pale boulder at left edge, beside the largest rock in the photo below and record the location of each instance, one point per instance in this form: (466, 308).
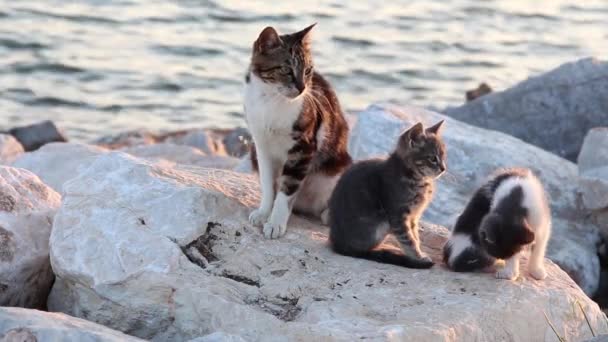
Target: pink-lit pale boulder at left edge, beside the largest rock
(27, 207)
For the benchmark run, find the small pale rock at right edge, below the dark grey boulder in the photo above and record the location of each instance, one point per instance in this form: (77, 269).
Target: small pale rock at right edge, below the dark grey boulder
(593, 169)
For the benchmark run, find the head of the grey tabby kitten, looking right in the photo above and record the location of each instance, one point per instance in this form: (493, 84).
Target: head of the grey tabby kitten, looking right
(423, 151)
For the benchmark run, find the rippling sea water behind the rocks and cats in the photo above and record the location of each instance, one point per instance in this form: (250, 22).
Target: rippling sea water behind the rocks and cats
(101, 66)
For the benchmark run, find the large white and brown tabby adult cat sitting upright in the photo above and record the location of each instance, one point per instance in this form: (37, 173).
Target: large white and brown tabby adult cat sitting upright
(299, 131)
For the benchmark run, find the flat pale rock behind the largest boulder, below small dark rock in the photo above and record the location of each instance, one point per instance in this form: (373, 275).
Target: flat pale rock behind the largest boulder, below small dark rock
(55, 163)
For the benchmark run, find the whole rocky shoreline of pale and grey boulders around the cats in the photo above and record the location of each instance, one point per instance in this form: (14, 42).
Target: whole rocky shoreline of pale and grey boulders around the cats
(146, 233)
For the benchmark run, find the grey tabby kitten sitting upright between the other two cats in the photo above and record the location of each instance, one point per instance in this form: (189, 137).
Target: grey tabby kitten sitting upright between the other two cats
(377, 197)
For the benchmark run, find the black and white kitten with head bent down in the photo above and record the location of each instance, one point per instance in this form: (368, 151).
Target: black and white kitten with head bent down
(507, 213)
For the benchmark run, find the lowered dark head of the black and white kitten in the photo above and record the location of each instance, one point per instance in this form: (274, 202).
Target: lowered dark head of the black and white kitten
(502, 237)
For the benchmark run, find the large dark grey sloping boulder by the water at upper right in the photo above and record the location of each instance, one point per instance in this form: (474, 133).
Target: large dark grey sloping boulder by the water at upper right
(566, 103)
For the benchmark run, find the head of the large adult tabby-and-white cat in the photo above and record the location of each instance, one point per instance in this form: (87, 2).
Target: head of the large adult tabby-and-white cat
(284, 61)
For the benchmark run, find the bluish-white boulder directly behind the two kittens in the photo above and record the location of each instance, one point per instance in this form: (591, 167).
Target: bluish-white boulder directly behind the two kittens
(473, 153)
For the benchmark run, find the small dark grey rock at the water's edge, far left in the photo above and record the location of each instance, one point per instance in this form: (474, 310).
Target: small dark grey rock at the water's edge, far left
(32, 137)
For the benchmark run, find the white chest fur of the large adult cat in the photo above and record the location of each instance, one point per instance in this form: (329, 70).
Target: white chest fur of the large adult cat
(270, 116)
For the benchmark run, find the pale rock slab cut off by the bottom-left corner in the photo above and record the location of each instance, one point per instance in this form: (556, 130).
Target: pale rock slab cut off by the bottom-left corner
(25, 325)
